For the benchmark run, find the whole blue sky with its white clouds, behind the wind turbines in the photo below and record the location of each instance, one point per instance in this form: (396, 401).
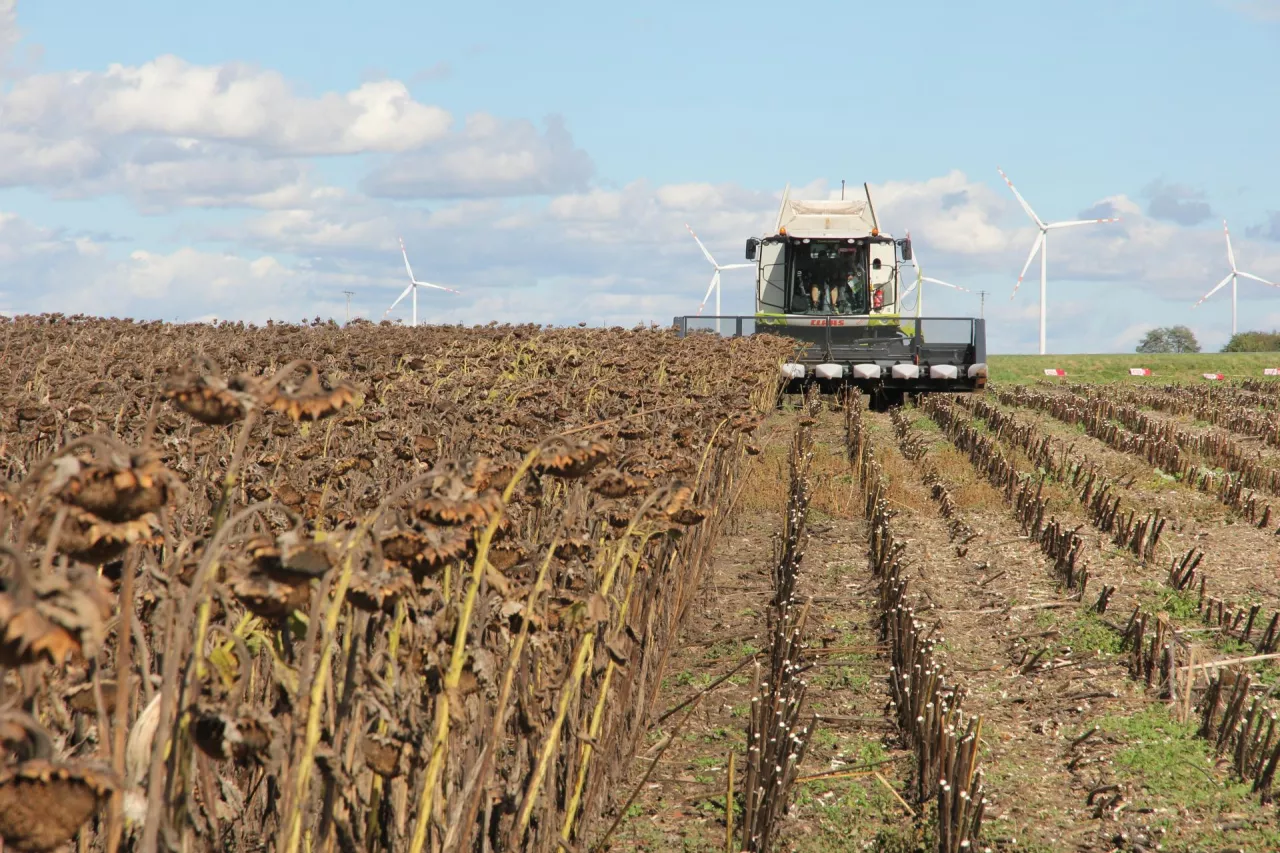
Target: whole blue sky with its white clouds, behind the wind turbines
(554, 153)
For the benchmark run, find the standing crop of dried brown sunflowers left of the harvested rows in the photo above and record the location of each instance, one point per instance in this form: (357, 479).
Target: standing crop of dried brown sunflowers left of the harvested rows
(360, 589)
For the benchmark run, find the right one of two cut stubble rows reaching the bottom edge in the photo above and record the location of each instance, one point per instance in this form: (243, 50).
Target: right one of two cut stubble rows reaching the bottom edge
(930, 709)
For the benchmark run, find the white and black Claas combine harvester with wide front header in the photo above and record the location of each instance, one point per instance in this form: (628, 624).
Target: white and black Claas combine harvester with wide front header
(831, 279)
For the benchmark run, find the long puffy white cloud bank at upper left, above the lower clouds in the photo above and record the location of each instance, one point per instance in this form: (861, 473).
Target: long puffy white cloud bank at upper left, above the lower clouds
(170, 134)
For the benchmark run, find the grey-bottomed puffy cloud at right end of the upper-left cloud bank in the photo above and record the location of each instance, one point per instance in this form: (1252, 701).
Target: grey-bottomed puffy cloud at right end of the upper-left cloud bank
(490, 158)
